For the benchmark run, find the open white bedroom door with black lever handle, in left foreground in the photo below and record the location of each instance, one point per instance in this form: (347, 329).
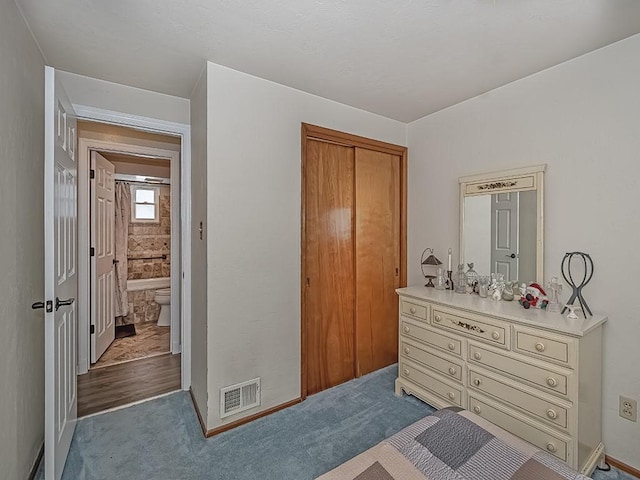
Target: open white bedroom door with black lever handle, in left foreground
(60, 270)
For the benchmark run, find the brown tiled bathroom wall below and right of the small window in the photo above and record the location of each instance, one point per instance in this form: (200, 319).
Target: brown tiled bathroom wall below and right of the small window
(151, 240)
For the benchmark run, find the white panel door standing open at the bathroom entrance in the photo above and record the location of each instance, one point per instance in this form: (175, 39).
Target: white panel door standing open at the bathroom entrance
(102, 237)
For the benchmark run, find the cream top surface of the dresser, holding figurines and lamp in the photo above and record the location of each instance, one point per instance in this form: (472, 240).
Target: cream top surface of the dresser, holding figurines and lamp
(534, 317)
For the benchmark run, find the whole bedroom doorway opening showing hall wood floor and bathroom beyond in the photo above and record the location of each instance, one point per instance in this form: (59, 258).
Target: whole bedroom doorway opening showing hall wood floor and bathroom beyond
(129, 346)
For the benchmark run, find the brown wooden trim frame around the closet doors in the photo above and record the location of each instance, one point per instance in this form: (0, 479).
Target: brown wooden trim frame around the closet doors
(314, 132)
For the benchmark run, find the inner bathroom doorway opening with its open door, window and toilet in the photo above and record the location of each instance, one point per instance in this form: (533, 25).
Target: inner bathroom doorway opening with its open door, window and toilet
(131, 264)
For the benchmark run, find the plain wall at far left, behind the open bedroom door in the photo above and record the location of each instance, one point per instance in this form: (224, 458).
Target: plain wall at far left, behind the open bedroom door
(21, 245)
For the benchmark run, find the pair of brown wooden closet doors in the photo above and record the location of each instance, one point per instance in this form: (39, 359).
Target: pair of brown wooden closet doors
(352, 214)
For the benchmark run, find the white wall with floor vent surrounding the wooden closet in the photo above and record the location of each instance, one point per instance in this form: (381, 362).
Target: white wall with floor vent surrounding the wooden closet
(254, 184)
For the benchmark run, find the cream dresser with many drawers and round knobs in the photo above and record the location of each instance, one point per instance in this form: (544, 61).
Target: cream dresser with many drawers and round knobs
(533, 373)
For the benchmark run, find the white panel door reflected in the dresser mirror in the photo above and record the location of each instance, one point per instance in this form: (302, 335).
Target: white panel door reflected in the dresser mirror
(504, 234)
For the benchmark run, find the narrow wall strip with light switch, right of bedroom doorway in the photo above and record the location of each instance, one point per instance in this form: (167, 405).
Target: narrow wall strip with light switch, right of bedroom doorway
(199, 316)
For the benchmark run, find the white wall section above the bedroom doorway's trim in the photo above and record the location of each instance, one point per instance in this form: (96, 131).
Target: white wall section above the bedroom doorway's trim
(91, 92)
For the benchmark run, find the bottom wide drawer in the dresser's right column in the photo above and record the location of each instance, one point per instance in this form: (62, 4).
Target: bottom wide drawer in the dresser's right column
(538, 436)
